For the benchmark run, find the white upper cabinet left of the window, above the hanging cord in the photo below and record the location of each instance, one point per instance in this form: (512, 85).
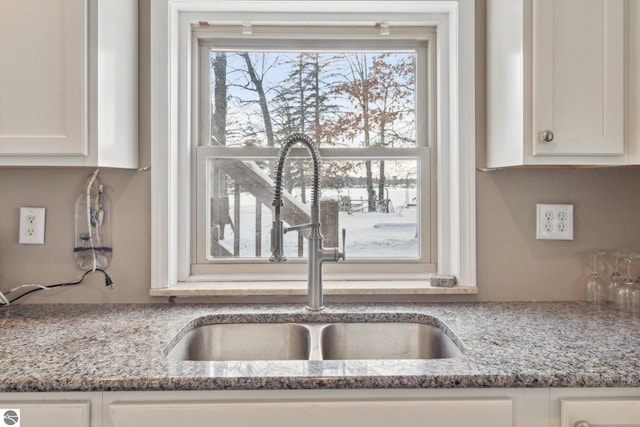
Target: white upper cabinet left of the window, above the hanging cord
(69, 83)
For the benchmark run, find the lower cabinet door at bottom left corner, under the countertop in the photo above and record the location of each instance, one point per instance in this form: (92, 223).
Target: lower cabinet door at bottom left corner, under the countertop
(47, 414)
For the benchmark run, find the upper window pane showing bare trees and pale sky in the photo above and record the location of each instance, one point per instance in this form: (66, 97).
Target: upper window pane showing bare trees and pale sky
(354, 99)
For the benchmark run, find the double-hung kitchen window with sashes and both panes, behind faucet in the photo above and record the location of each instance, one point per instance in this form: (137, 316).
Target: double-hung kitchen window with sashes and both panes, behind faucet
(367, 102)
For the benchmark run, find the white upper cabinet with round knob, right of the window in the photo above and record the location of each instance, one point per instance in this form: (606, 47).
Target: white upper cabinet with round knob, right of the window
(556, 82)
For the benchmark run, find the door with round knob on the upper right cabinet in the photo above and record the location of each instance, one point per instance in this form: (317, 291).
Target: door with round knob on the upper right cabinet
(578, 51)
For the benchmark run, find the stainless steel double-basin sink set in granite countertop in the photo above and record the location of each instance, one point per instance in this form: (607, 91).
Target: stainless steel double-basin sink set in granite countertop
(313, 341)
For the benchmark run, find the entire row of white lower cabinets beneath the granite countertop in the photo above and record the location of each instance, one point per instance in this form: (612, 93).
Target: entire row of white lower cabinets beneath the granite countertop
(522, 407)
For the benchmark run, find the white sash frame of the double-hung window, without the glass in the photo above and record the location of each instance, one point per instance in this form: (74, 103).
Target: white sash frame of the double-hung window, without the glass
(402, 38)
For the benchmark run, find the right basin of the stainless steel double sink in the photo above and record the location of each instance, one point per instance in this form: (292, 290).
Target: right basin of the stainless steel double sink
(386, 341)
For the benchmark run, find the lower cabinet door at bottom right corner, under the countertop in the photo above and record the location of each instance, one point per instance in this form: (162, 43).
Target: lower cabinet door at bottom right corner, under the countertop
(600, 412)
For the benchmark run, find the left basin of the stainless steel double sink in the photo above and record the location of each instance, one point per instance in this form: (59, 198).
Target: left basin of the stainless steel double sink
(244, 341)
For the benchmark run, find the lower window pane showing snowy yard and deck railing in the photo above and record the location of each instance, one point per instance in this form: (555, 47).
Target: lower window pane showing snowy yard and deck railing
(380, 214)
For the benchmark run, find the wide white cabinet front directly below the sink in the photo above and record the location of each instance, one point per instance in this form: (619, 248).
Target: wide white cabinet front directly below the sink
(335, 408)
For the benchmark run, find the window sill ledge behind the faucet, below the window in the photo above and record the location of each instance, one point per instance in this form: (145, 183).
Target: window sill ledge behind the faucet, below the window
(352, 287)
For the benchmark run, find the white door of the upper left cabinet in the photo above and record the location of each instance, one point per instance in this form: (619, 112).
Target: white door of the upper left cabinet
(42, 78)
